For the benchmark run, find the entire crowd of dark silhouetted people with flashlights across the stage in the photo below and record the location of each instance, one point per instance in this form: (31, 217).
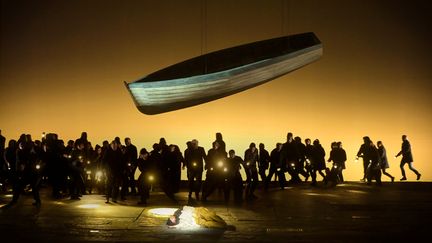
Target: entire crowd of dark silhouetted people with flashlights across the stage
(77, 168)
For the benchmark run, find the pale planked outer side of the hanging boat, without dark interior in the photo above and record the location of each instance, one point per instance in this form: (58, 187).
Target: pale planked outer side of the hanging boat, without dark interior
(168, 95)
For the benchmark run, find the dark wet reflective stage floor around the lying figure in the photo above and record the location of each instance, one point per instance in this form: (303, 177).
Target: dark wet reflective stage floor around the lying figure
(351, 212)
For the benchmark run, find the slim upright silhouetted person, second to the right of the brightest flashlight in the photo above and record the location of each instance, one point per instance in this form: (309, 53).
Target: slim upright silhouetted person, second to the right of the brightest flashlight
(250, 165)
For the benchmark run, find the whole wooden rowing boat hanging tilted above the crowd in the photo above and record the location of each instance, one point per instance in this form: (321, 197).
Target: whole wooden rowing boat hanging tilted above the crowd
(223, 73)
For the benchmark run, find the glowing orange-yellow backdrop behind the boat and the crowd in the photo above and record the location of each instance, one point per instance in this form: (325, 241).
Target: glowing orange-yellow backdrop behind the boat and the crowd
(63, 64)
